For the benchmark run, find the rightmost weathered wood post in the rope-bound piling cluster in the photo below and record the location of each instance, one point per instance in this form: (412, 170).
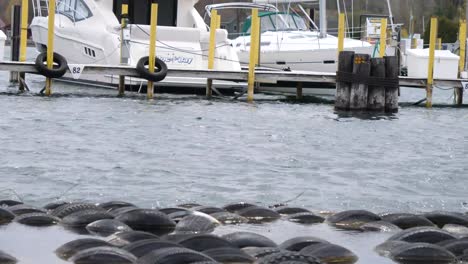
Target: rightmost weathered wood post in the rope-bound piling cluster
(392, 71)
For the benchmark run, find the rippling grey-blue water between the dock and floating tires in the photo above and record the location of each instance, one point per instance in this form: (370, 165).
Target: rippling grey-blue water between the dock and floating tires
(88, 144)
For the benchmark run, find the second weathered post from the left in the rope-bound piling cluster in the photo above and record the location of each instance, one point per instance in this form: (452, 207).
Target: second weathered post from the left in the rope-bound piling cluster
(359, 89)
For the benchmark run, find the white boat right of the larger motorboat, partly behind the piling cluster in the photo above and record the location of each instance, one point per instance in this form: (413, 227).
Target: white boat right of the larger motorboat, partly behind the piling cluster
(289, 40)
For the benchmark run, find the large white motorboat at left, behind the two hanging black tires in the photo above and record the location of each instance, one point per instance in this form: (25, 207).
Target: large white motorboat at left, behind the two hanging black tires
(89, 32)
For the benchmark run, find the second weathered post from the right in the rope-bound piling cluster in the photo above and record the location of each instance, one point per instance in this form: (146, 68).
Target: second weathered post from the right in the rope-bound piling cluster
(376, 95)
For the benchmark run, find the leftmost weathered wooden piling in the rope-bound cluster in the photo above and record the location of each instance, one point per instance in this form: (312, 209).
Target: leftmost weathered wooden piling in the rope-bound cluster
(343, 89)
